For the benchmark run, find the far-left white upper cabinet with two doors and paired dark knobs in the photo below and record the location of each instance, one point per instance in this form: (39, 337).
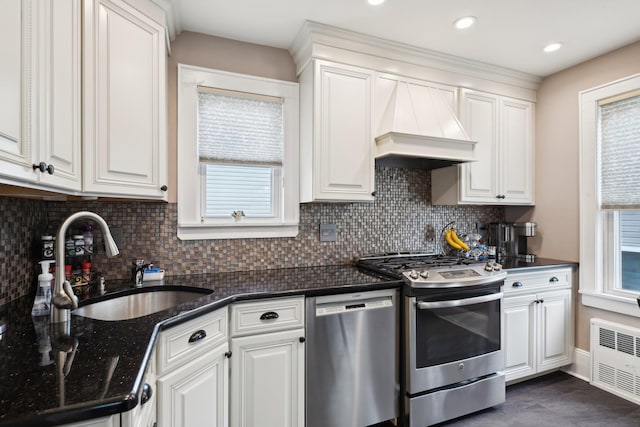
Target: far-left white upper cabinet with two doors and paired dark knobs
(40, 93)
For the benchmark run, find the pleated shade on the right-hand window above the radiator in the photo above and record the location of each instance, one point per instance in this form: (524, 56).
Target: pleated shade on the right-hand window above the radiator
(620, 153)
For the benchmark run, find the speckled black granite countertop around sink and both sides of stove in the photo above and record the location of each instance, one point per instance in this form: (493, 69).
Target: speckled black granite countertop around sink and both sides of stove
(41, 385)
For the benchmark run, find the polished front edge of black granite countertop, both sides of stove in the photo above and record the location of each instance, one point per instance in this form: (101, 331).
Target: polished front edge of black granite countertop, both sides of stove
(104, 408)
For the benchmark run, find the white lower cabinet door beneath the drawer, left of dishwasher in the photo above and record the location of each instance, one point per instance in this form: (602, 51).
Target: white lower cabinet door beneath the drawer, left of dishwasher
(267, 380)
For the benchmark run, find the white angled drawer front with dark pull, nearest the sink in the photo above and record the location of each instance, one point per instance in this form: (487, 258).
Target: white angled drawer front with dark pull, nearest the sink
(185, 342)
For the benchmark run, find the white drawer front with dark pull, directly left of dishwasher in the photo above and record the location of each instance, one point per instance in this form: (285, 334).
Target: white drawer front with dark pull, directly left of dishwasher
(267, 316)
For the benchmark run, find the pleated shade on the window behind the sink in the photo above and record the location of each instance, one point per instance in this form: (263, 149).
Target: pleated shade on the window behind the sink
(235, 127)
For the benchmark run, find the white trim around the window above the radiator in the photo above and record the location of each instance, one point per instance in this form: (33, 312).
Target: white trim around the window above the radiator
(595, 273)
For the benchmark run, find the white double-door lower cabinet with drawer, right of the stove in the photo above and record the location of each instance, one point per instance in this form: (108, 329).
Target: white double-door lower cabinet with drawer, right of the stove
(538, 322)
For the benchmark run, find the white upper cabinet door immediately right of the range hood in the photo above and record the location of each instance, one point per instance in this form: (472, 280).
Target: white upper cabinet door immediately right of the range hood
(479, 116)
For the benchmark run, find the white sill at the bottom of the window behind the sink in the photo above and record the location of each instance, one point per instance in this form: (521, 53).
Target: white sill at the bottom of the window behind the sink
(236, 231)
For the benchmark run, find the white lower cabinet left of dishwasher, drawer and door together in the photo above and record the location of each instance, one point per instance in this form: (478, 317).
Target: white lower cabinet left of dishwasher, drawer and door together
(267, 368)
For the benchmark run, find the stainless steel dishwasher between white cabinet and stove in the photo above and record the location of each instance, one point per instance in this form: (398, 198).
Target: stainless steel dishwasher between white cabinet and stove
(352, 359)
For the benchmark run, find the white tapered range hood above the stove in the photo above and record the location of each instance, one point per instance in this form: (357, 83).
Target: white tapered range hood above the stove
(420, 130)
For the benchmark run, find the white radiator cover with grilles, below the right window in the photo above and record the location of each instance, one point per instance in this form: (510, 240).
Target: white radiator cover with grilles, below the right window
(615, 359)
